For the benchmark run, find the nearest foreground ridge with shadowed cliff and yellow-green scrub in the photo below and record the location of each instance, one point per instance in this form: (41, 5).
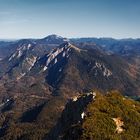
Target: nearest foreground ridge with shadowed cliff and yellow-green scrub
(98, 117)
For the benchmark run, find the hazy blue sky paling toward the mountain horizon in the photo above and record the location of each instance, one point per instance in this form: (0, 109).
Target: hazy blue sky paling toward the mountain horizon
(69, 18)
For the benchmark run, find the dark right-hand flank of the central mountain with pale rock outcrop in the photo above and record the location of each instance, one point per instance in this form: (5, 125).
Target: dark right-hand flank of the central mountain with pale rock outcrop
(95, 69)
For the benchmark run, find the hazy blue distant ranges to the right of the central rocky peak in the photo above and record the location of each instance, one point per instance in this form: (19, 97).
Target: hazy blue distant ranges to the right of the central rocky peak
(125, 47)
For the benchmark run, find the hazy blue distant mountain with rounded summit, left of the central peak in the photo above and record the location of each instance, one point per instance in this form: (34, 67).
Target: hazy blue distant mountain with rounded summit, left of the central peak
(49, 42)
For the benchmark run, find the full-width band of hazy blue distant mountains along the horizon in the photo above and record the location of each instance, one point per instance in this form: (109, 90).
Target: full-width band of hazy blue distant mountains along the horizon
(125, 47)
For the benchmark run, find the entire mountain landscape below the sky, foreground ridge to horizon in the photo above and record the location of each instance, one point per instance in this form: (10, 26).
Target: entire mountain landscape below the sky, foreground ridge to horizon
(46, 84)
